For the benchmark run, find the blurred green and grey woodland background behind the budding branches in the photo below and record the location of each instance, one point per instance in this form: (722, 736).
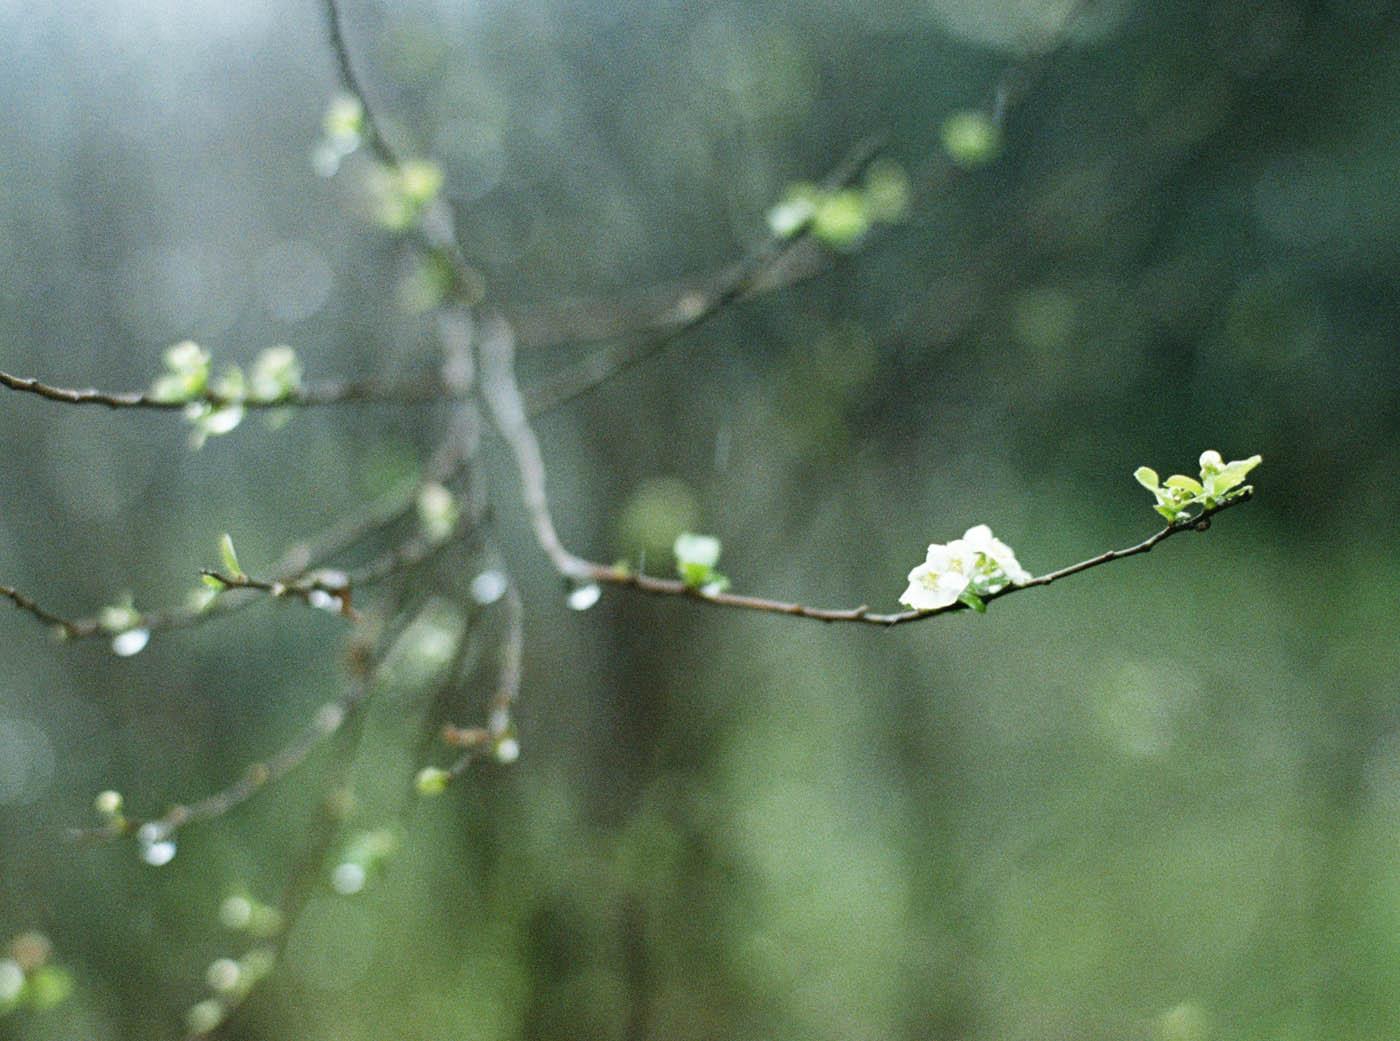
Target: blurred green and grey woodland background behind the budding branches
(1158, 802)
